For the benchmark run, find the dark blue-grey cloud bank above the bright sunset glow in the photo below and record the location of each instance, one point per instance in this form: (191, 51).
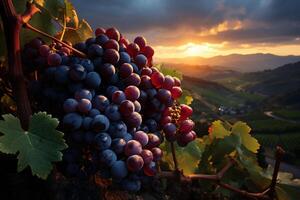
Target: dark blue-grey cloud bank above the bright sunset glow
(279, 20)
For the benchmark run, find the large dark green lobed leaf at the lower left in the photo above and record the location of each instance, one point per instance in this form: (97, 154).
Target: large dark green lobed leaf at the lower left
(38, 147)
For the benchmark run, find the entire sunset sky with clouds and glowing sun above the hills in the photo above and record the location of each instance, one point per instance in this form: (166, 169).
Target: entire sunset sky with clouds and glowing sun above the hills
(206, 28)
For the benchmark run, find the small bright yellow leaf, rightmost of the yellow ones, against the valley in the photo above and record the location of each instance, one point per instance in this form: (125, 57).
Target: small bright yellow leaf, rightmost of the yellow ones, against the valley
(243, 130)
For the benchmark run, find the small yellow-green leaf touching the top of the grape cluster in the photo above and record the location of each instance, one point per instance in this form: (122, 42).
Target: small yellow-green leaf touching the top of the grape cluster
(83, 32)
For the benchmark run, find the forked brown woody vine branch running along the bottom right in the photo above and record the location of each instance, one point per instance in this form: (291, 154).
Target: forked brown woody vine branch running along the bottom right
(267, 194)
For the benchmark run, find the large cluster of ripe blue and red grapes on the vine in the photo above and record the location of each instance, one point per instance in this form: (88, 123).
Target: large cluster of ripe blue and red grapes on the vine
(113, 106)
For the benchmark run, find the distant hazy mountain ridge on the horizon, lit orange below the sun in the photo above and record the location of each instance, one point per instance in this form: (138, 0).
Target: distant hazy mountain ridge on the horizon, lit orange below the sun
(237, 62)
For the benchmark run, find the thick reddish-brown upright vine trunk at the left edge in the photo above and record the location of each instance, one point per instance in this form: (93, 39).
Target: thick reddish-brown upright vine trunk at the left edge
(12, 24)
